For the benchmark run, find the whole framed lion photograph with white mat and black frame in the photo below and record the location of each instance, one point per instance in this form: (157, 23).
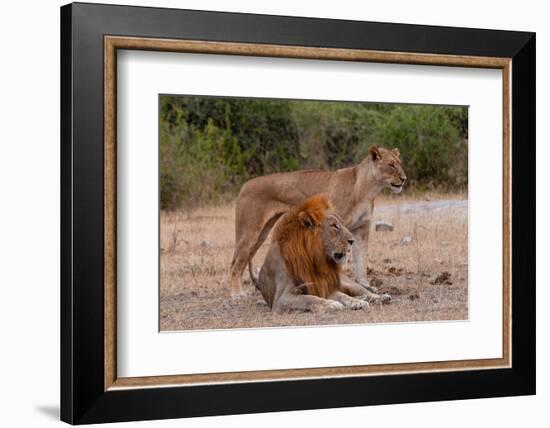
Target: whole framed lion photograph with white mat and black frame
(266, 213)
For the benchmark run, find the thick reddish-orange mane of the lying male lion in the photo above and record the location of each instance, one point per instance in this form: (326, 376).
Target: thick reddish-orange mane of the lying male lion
(299, 235)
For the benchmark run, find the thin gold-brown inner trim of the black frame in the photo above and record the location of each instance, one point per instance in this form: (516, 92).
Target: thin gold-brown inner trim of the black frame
(112, 43)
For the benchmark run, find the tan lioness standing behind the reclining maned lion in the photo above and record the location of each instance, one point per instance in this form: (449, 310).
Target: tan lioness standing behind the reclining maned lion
(263, 200)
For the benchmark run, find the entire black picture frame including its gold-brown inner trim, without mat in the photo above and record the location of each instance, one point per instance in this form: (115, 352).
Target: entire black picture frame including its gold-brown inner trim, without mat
(91, 391)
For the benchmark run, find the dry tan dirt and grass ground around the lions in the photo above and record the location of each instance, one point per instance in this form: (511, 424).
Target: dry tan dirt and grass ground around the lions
(422, 264)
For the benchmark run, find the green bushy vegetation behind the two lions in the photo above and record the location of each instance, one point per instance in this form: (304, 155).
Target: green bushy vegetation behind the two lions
(210, 146)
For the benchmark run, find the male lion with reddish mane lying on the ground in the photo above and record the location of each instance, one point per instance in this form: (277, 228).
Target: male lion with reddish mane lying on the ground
(302, 269)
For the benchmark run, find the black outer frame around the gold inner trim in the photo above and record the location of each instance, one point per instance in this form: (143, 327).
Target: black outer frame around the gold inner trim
(83, 399)
